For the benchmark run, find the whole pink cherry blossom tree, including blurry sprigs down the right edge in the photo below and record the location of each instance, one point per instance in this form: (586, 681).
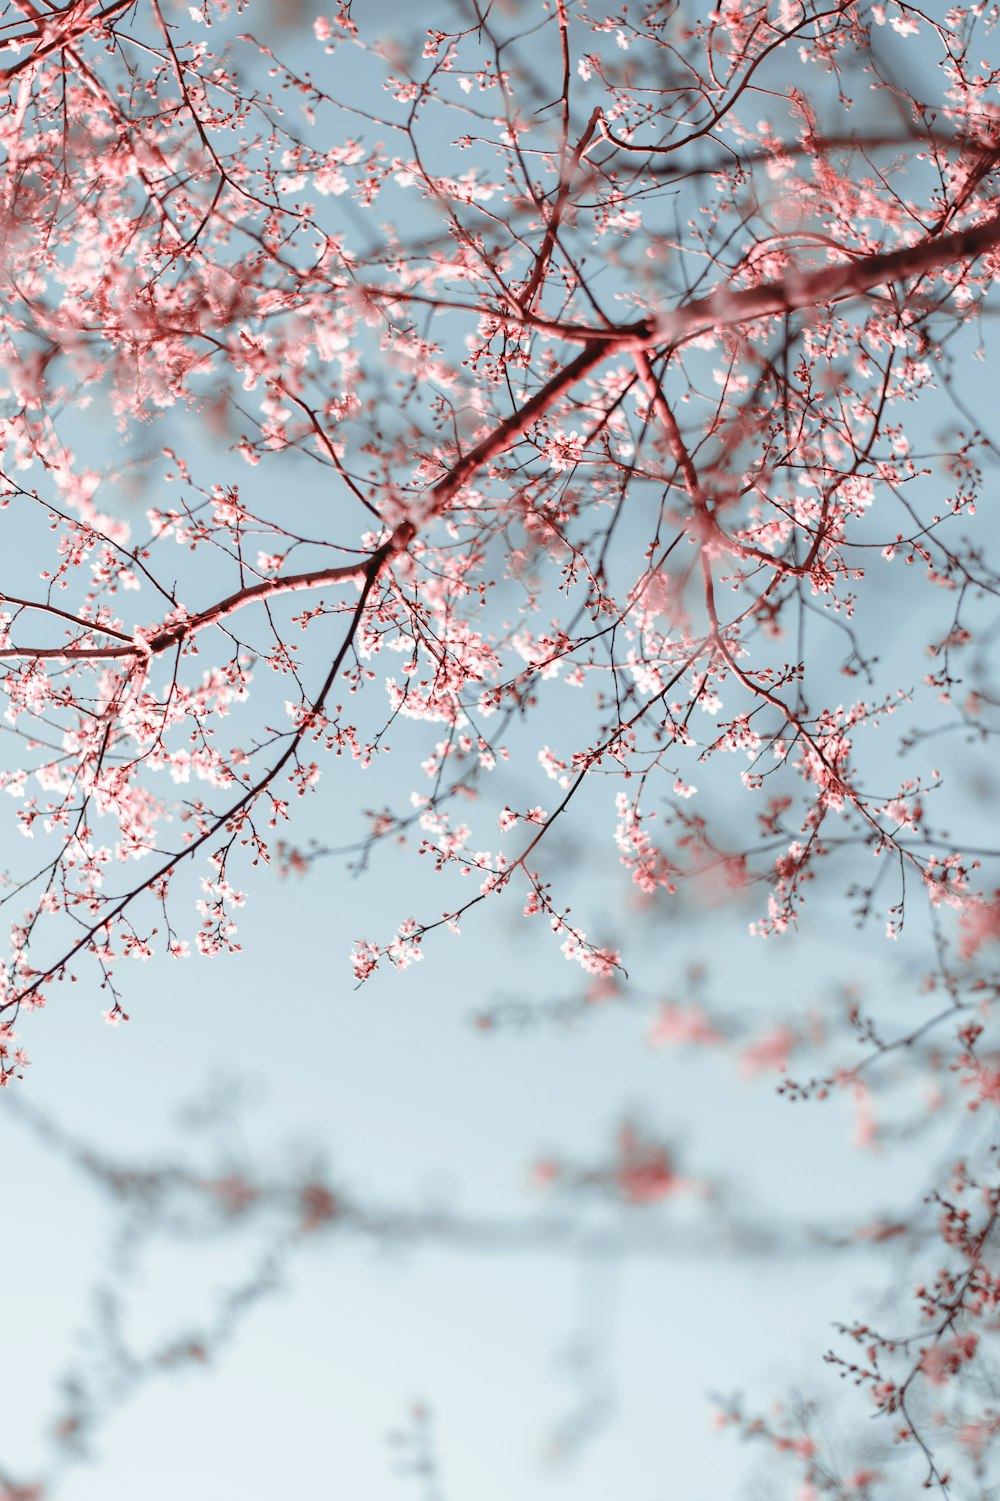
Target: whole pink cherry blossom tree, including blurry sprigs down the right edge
(579, 391)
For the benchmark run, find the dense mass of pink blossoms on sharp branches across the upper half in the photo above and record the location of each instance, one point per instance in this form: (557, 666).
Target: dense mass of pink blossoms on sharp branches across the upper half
(672, 492)
